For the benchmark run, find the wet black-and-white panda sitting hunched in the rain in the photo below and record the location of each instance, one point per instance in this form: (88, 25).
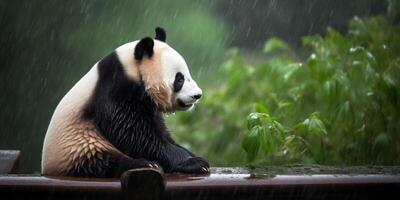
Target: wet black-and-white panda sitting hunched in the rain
(112, 118)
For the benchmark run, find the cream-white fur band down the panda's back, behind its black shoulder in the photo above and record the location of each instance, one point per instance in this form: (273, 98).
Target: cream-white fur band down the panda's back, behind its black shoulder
(65, 121)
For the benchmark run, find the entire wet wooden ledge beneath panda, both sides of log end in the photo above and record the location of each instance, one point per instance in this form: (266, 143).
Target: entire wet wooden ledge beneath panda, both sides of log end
(223, 183)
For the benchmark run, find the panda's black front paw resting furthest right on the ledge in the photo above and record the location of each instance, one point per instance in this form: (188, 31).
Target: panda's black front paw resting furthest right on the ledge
(194, 165)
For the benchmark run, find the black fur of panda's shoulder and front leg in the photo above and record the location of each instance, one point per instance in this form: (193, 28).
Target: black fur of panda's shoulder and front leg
(128, 118)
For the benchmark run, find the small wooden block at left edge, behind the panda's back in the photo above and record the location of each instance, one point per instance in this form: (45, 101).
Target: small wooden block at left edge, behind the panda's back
(9, 160)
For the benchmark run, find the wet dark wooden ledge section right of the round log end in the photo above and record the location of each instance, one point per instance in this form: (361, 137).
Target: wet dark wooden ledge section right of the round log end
(243, 186)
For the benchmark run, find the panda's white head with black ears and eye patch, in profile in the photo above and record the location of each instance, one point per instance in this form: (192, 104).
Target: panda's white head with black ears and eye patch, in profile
(162, 70)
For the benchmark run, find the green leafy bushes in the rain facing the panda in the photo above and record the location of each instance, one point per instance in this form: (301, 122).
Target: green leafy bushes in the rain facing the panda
(340, 106)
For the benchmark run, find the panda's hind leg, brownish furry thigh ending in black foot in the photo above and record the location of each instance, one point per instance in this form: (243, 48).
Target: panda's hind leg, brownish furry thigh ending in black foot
(91, 155)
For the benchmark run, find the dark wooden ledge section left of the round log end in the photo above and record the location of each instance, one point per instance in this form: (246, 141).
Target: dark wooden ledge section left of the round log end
(40, 187)
